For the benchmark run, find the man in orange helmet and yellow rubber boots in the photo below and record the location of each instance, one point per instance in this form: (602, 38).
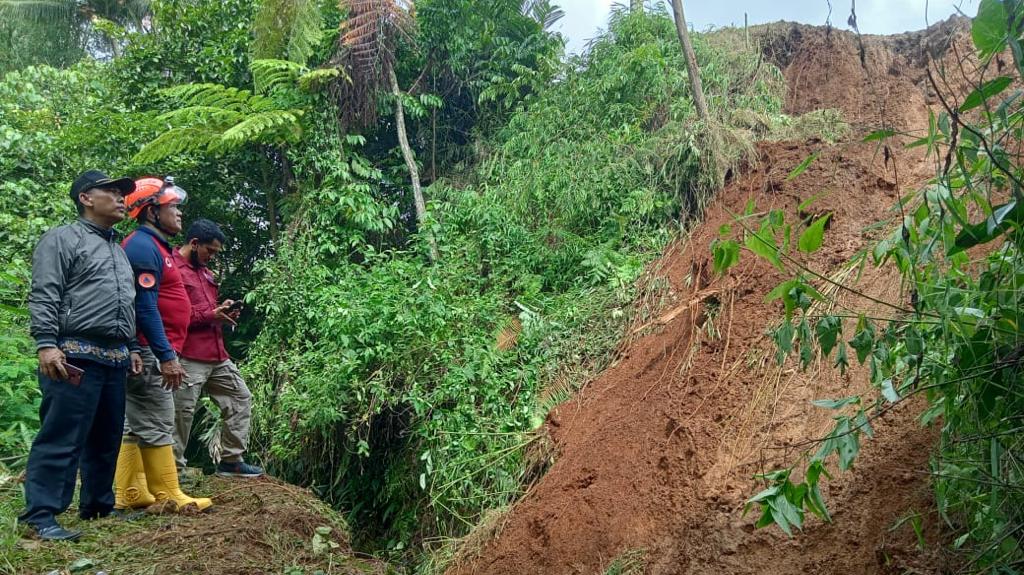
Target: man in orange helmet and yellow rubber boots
(146, 472)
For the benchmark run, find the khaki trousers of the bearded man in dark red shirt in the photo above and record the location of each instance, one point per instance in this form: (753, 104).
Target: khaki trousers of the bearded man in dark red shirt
(225, 386)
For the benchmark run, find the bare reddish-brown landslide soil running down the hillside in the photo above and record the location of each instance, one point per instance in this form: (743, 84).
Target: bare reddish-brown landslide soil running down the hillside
(657, 456)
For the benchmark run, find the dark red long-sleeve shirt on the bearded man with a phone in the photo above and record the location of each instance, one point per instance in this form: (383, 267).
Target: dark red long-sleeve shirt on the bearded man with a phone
(206, 335)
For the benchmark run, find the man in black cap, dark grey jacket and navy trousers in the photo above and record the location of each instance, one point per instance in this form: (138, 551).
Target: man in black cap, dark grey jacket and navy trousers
(83, 320)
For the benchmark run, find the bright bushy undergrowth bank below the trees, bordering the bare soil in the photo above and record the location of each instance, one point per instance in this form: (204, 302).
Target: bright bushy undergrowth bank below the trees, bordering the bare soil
(383, 383)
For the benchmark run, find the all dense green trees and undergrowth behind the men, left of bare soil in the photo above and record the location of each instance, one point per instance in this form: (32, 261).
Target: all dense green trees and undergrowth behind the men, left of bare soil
(406, 391)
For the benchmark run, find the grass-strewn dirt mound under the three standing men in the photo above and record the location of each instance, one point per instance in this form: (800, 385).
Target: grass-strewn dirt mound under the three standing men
(255, 527)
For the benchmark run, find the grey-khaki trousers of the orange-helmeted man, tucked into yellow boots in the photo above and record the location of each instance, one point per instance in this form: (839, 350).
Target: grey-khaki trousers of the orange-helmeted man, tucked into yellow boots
(149, 408)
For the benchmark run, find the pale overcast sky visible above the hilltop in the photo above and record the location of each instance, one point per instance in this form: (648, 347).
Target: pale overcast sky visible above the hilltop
(585, 18)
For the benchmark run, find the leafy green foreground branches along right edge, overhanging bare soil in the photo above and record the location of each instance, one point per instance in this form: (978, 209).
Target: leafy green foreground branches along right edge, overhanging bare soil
(956, 336)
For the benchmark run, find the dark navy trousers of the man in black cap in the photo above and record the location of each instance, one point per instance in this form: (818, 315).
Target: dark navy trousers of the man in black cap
(80, 428)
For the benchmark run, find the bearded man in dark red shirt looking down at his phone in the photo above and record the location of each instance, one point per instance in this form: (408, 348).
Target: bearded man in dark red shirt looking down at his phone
(207, 365)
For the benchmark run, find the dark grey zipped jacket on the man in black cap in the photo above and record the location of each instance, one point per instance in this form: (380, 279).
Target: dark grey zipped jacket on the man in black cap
(82, 287)
